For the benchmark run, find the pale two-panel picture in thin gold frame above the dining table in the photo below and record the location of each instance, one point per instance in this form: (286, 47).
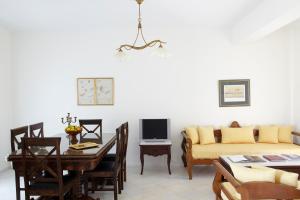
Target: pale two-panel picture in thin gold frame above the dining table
(95, 91)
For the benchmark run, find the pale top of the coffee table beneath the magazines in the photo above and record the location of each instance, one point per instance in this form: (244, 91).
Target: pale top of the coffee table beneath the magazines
(267, 163)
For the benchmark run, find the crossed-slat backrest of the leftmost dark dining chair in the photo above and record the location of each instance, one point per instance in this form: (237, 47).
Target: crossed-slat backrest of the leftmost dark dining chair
(16, 143)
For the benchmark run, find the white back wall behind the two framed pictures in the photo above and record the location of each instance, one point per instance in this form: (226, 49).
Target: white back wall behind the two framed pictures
(183, 87)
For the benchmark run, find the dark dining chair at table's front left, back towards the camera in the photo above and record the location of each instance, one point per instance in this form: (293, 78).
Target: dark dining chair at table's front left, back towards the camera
(43, 174)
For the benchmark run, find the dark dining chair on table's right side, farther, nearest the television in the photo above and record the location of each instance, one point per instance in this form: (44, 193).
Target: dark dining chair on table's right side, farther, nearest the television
(111, 157)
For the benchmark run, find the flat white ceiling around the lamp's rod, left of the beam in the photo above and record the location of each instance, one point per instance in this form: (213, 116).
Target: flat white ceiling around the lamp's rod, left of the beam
(84, 14)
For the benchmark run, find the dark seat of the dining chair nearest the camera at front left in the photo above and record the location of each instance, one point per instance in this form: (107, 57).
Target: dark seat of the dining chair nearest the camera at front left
(67, 183)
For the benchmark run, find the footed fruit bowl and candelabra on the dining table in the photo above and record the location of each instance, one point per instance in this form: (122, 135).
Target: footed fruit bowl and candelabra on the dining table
(71, 130)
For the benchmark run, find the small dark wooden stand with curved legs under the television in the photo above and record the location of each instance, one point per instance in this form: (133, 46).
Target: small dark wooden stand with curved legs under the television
(155, 149)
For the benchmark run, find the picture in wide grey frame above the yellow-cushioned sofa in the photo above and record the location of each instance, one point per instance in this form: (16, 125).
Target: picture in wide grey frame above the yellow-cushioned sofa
(234, 93)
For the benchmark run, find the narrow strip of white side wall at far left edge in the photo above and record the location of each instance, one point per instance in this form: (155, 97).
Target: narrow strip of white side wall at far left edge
(5, 96)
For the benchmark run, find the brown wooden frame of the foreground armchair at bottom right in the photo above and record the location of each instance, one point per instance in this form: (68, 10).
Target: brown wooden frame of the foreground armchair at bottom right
(251, 190)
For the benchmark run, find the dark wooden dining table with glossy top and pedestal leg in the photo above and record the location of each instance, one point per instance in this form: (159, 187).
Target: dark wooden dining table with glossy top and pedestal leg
(75, 161)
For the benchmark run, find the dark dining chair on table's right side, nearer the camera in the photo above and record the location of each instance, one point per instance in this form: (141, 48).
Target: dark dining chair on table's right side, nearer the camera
(107, 170)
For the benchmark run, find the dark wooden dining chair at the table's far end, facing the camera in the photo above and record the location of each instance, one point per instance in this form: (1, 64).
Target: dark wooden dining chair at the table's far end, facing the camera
(91, 130)
